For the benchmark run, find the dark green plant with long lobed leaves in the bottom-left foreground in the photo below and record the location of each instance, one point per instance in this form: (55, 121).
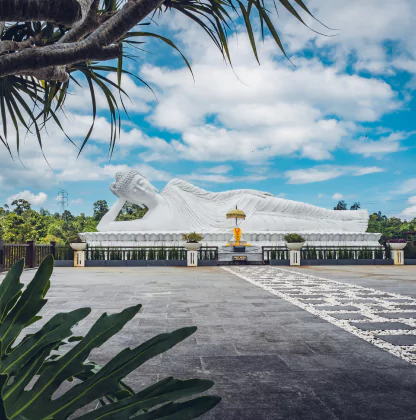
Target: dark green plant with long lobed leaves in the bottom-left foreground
(32, 370)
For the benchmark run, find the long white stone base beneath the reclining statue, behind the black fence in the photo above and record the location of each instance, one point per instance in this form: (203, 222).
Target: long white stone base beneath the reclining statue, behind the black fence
(221, 238)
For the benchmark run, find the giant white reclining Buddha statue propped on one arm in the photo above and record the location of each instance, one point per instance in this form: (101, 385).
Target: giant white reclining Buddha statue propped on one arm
(183, 207)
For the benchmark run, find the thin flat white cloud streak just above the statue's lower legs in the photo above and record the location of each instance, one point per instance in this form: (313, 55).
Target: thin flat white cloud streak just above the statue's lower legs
(326, 172)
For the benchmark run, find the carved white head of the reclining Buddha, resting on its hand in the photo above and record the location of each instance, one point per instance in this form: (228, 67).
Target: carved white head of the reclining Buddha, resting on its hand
(135, 188)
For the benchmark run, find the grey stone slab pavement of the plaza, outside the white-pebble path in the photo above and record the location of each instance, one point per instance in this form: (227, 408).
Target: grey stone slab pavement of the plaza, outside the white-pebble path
(269, 358)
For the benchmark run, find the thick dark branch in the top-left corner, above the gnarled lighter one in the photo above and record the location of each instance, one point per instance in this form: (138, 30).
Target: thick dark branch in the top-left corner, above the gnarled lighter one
(64, 12)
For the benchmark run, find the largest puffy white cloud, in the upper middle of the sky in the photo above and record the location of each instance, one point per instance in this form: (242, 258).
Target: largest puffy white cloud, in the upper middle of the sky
(267, 111)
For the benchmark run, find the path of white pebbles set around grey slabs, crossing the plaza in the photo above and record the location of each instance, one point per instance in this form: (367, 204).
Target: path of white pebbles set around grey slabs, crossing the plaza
(314, 294)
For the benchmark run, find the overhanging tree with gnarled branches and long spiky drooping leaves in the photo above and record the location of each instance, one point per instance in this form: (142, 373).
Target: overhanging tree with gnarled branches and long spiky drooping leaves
(49, 46)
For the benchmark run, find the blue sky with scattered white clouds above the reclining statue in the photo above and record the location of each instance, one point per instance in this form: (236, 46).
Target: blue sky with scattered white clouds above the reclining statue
(339, 125)
